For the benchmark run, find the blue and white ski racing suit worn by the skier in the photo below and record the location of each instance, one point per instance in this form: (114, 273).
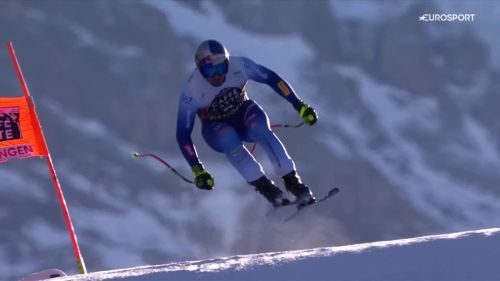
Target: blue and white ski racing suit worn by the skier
(230, 118)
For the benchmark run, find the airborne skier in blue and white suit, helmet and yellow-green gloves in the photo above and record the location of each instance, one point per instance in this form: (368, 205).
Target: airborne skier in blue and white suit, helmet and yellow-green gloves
(216, 92)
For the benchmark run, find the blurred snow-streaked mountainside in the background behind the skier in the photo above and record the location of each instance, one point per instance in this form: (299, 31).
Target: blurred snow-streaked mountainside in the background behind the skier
(408, 126)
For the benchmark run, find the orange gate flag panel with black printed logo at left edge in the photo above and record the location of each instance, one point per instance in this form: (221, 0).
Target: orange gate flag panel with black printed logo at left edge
(20, 134)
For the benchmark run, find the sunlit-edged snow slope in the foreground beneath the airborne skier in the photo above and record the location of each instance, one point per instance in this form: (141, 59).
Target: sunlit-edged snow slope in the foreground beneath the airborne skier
(471, 255)
